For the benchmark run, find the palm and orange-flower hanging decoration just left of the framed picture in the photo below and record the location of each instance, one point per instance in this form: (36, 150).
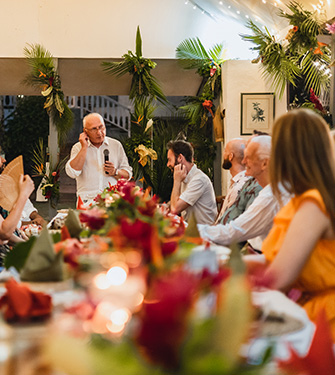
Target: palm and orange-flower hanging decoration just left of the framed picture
(192, 55)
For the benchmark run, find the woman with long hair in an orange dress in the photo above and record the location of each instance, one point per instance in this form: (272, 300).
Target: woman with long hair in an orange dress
(300, 248)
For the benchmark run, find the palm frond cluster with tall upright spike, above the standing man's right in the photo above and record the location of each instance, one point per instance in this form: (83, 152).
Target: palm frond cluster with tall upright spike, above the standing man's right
(143, 83)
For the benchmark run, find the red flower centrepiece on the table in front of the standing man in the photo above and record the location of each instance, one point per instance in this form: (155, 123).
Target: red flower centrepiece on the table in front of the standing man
(131, 218)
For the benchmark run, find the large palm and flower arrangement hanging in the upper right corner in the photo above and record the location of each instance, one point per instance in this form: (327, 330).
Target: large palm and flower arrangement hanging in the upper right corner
(300, 59)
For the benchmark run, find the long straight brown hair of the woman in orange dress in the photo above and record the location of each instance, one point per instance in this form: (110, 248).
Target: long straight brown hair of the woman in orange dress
(303, 156)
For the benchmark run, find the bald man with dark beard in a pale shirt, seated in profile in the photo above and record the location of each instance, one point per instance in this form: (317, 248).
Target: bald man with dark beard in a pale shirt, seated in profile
(232, 161)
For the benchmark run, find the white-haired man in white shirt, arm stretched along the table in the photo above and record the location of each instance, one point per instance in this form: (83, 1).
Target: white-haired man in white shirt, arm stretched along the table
(255, 223)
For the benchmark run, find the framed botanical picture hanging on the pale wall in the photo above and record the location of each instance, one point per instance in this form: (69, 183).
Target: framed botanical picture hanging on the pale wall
(257, 112)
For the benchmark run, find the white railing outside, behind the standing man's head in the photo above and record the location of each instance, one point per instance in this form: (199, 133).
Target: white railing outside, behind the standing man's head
(112, 111)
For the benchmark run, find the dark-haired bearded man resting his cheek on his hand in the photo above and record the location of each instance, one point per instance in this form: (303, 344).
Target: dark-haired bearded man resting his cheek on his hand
(192, 190)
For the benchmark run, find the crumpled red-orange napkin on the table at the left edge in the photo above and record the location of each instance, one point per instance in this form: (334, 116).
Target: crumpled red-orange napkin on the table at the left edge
(20, 303)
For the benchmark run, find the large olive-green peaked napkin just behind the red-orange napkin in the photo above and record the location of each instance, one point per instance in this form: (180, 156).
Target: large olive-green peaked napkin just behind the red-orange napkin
(43, 264)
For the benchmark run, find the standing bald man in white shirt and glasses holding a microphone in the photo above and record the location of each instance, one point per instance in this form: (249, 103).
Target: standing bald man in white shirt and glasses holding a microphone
(96, 160)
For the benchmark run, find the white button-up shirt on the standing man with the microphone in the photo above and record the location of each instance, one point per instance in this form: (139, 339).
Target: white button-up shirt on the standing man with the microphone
(92, 179)
